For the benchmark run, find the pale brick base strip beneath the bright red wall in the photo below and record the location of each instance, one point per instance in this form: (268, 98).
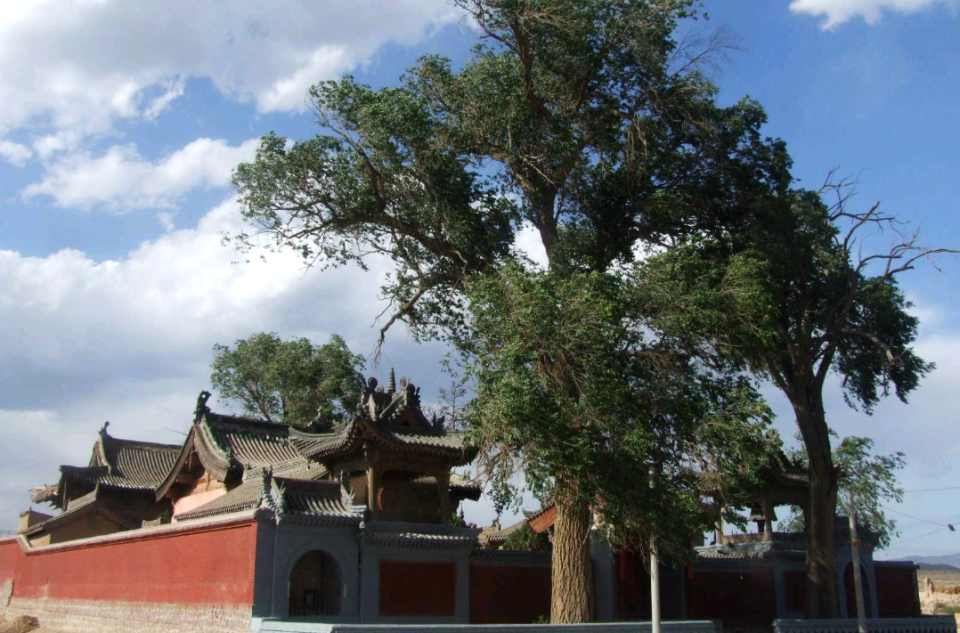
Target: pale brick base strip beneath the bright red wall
(96, 616)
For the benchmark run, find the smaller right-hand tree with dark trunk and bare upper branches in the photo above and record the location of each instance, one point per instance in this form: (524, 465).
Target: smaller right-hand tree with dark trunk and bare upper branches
(785, 292)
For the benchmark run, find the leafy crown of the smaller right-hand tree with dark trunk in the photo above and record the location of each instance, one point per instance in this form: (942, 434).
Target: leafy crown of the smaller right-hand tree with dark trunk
(783, 297)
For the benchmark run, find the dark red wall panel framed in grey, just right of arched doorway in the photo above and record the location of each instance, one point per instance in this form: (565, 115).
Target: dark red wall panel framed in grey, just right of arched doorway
(417, 589)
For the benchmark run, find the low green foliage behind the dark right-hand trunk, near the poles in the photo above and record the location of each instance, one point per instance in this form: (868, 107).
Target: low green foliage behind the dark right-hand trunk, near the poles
(871, 478)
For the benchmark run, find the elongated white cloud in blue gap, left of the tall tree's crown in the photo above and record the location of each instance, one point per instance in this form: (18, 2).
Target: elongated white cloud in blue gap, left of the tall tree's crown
(122, 180)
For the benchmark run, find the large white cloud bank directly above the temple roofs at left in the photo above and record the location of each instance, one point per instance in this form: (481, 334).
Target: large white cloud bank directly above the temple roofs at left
(129, 340)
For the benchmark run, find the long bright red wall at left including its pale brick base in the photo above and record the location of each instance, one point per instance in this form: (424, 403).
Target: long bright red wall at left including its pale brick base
(148, 581)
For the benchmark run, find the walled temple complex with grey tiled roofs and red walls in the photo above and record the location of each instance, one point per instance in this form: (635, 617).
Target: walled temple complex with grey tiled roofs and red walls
(247, 520)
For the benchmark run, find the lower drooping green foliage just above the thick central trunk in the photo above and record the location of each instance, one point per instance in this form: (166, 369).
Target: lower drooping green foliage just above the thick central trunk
(573, 394)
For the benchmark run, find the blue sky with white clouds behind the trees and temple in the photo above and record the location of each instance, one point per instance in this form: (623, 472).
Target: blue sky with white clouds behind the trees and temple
(121, 122)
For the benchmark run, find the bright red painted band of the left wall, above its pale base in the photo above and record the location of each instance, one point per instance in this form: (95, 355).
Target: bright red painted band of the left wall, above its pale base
(212, 565)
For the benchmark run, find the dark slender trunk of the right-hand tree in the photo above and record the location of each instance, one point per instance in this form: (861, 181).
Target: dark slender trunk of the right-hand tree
(821, 507)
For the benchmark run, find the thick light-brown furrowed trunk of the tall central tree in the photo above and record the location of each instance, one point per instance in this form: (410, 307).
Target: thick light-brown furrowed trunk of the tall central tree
(571, 599)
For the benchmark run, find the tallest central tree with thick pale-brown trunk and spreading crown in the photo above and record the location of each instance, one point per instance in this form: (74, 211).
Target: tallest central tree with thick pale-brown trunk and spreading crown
(591, 122)
